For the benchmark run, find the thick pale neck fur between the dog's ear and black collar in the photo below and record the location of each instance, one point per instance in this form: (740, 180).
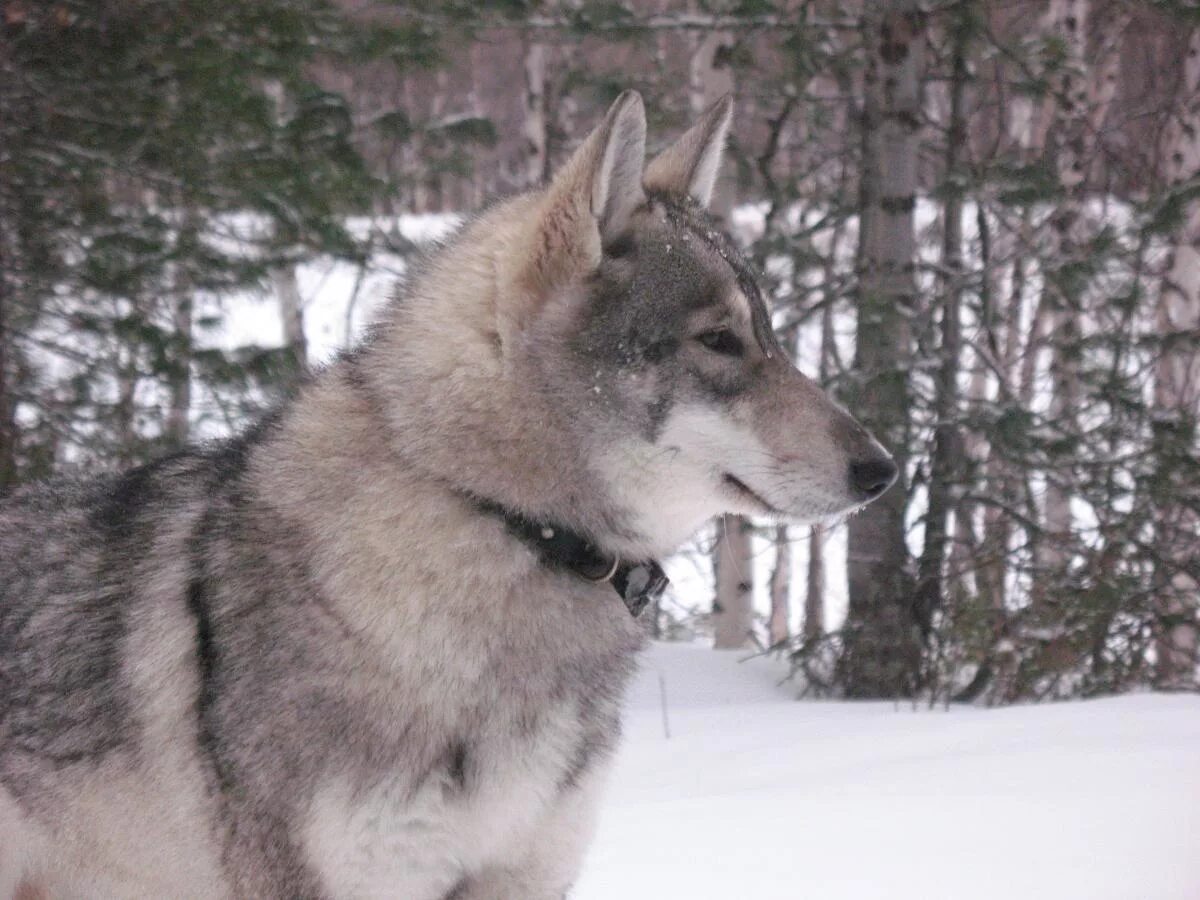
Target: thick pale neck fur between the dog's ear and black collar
(458, 410)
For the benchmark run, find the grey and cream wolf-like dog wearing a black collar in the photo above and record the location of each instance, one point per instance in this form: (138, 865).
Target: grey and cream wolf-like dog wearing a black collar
(376, 647)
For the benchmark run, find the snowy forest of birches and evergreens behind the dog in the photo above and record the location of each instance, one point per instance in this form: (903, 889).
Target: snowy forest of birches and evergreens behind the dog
(979, 224)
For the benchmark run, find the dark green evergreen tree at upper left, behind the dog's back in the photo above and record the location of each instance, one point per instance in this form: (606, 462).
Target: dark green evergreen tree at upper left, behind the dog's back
(146, 164)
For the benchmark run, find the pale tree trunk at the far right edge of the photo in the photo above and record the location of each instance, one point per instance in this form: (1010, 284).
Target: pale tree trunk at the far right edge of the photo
(1178, 401)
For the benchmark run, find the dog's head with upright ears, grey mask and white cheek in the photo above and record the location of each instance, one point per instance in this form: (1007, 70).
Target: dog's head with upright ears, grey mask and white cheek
(631, 308)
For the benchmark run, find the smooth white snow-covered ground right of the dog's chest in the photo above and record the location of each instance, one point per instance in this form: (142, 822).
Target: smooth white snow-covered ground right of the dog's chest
(759, 796)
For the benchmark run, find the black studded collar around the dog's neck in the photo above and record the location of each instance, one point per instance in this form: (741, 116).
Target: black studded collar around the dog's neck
(559, 548)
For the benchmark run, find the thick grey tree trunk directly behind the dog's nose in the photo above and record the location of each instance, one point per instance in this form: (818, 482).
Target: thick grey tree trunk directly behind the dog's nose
(883, 650)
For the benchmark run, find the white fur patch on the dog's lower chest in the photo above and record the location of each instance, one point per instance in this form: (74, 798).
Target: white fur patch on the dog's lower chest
(417, 838)
